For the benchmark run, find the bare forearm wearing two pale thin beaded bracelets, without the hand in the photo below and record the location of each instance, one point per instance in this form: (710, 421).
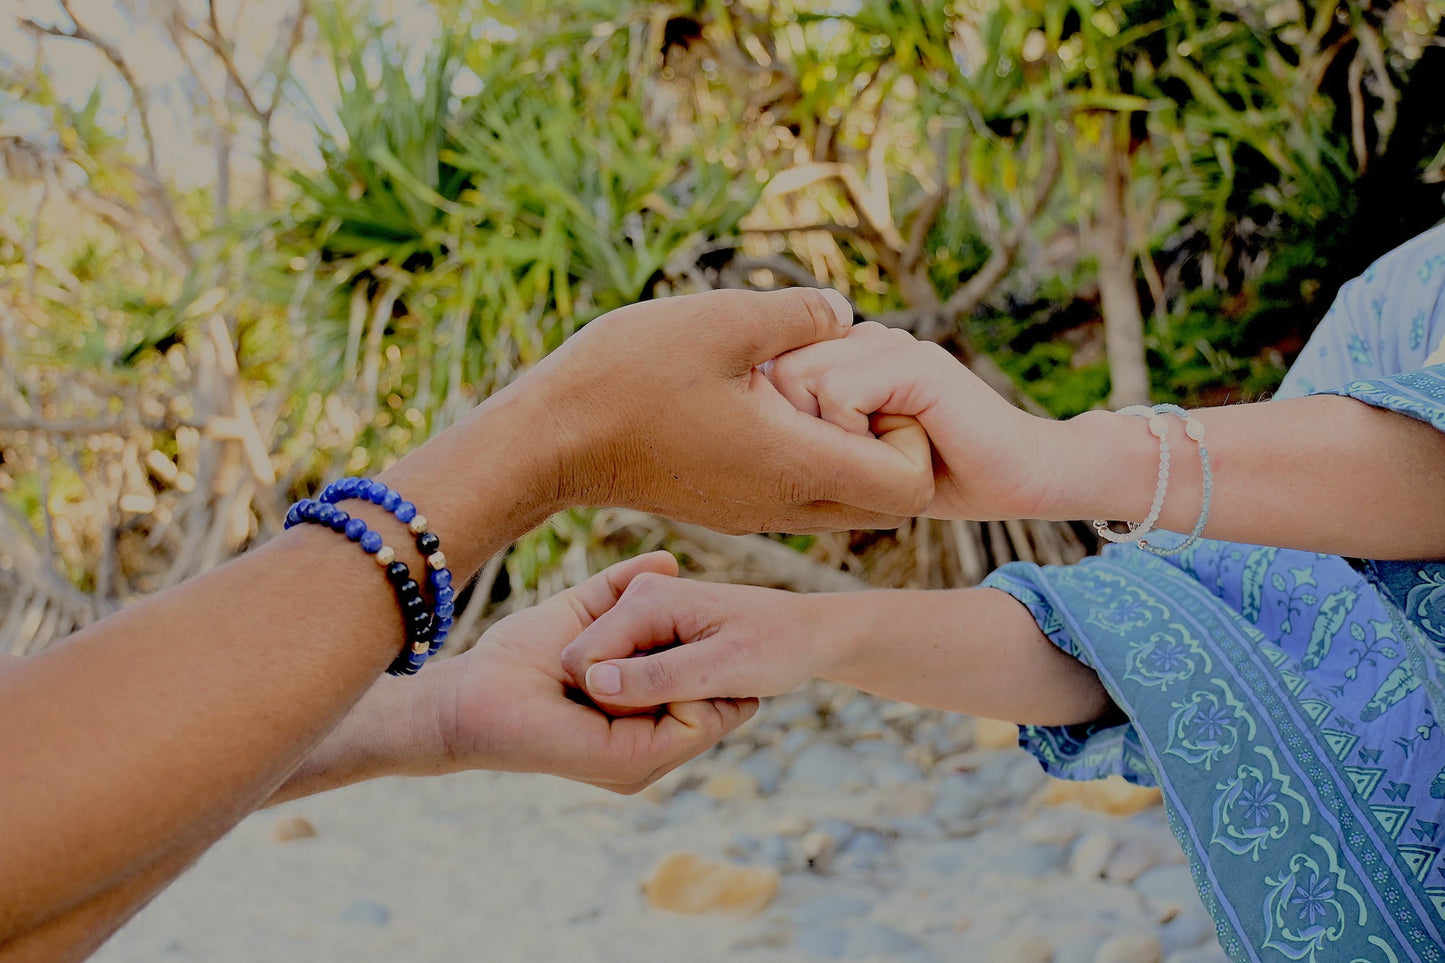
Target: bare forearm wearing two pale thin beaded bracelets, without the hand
(1300, 474)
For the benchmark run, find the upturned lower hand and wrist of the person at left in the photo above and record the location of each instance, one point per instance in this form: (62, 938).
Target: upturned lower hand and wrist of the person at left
(506, 705)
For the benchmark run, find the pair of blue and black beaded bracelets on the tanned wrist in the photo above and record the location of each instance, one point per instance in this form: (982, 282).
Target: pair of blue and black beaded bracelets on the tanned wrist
(426, 630)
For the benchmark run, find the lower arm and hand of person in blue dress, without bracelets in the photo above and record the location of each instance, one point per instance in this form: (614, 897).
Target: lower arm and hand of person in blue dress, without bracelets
(973, 650)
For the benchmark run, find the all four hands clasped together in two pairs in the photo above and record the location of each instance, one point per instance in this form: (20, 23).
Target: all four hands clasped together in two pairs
(739, 411)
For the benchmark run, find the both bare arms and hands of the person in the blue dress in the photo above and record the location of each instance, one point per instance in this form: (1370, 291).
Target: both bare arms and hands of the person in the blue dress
(1300, 474)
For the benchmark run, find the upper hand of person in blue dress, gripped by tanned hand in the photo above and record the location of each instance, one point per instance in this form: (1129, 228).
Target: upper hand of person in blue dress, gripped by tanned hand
(991, 459)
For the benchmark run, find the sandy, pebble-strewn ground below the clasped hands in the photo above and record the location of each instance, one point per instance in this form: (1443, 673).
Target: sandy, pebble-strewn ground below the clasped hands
(892, 834)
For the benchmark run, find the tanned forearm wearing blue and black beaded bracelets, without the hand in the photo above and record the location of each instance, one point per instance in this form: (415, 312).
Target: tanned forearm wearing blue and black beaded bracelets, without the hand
(160, 728)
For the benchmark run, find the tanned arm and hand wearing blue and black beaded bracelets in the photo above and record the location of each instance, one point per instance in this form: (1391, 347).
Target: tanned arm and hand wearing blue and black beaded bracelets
(148, 735)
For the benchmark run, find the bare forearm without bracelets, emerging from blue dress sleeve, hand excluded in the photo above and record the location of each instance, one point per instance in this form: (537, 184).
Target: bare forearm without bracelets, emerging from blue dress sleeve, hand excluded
(970, 650)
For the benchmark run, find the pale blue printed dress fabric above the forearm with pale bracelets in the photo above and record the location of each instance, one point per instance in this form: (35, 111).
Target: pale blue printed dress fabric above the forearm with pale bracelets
(1388, 320)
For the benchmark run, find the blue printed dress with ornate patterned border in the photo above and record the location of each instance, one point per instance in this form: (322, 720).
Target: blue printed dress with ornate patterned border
(1285, 702)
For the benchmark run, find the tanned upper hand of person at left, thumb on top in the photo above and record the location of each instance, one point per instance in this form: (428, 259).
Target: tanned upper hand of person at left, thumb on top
(661, 407)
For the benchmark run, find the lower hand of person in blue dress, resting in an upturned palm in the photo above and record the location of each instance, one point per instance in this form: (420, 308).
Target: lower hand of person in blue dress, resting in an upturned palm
(732, 641)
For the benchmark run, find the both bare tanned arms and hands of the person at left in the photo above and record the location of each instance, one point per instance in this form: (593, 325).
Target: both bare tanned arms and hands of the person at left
(129, 748)
